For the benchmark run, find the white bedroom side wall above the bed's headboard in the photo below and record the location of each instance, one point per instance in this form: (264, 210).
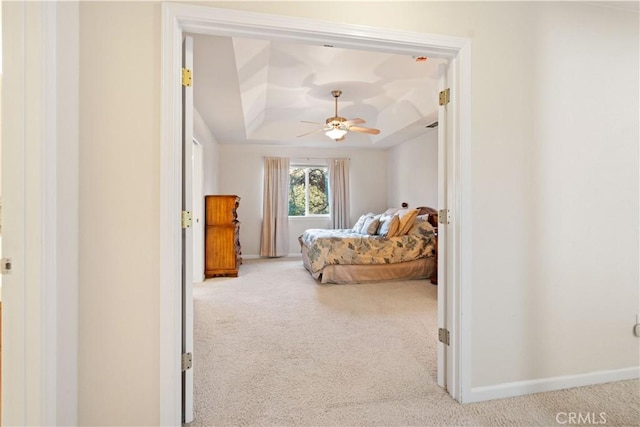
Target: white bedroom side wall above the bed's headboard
(413, 172)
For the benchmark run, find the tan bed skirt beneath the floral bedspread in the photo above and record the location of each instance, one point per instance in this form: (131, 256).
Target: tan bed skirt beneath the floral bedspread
(340, 273)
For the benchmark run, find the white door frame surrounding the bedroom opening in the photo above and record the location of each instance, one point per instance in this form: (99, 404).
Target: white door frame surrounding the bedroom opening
(180, 18)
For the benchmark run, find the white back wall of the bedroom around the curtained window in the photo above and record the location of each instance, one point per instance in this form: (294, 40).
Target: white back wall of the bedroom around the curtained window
(242, 172)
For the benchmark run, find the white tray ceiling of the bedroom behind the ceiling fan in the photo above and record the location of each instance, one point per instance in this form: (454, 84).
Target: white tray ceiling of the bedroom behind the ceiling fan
(259, 92)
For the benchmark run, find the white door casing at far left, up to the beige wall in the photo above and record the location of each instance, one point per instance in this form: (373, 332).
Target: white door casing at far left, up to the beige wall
(40, 208)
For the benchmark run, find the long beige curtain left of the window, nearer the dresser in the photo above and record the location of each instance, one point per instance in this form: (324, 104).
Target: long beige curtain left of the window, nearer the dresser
(274, 239)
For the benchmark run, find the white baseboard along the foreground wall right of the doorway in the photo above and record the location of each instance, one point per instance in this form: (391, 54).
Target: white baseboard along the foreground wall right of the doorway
(520, 388)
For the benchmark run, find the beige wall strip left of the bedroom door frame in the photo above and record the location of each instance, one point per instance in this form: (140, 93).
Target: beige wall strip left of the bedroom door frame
(119, 217)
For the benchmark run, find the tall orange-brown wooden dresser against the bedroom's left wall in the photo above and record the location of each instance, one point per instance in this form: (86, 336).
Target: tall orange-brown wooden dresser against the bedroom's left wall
(222, 254)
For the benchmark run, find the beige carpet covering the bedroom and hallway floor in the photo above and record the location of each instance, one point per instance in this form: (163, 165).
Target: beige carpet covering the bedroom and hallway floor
(273, 347)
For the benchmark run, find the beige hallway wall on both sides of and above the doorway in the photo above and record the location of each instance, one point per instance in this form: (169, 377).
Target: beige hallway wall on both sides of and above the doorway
(554, 160)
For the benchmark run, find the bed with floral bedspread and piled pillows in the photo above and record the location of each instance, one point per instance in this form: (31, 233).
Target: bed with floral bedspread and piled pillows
(359, 255)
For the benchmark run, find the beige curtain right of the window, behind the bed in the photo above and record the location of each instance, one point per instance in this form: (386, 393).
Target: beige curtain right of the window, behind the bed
(339, 193)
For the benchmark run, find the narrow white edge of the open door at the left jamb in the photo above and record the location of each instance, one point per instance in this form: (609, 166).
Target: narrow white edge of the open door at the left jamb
(187, 230)
